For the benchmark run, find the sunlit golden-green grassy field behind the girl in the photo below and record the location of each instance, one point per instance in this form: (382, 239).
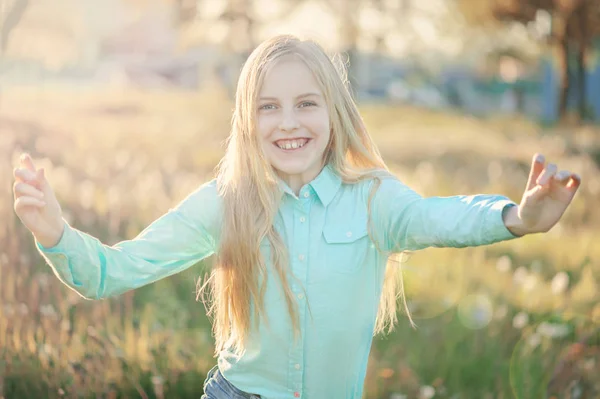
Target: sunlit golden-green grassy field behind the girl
(519, 319)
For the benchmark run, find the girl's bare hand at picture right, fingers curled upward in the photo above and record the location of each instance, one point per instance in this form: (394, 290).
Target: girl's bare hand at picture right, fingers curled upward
(547, 196)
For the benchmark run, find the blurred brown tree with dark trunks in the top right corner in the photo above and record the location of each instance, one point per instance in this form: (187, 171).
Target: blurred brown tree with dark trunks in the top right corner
(573, 24)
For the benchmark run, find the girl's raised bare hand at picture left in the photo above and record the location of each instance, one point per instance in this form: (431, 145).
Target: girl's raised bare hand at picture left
(35, 203)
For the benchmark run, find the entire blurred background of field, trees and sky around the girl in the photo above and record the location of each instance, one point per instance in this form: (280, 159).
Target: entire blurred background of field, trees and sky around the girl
(127, 104)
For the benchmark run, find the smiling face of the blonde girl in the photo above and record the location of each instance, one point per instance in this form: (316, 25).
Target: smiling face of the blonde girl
(293, 122)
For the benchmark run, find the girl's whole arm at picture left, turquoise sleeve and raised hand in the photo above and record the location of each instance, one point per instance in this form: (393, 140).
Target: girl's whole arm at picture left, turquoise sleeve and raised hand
(177, 240)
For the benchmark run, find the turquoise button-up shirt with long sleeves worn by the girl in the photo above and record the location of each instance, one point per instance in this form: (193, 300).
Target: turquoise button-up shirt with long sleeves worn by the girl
(333, 258)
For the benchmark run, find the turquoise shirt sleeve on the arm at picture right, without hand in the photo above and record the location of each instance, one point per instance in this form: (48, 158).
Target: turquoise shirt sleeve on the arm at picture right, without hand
(404, 220)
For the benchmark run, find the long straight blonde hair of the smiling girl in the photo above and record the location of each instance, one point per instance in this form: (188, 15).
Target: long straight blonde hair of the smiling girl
(248, 185)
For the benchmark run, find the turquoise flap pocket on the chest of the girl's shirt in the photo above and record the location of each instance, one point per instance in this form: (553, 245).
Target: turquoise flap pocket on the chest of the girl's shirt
(347, 245)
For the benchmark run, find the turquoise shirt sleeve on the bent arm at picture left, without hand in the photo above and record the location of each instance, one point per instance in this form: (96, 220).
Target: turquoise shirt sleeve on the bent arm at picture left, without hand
(180, 238)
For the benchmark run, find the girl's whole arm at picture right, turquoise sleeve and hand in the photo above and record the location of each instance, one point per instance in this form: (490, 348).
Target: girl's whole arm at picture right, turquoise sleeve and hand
(404, 220)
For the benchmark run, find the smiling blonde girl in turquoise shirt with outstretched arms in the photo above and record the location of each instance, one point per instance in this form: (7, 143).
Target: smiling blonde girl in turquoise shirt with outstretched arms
(302, 216)
